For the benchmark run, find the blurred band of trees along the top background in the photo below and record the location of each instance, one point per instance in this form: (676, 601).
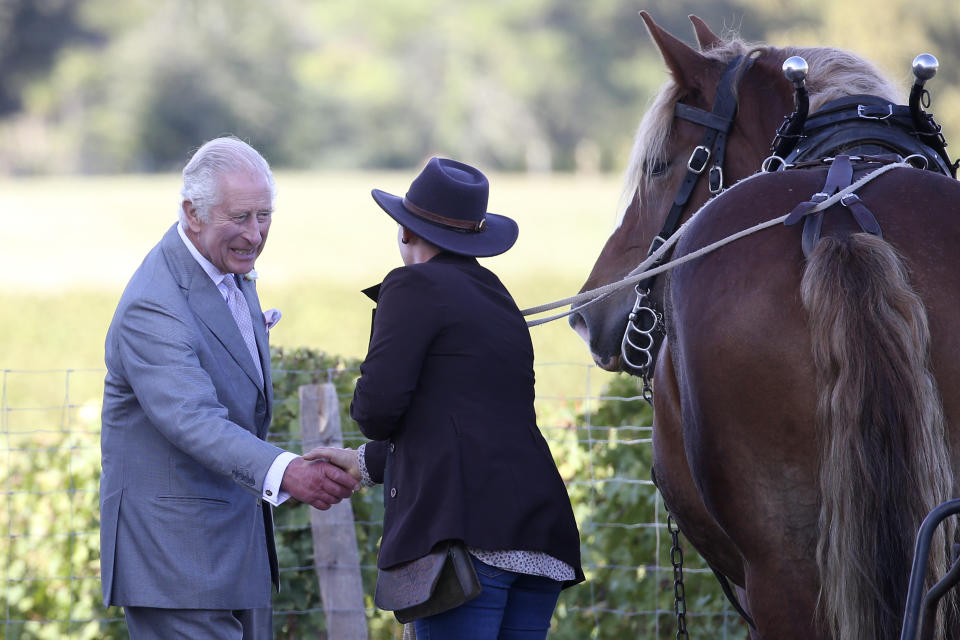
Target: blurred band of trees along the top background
(540, 85)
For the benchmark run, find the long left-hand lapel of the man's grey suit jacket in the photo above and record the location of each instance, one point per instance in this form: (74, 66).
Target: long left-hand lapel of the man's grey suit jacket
(208, 304)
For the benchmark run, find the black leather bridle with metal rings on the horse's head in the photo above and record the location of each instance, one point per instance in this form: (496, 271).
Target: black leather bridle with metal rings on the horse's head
(645, 329)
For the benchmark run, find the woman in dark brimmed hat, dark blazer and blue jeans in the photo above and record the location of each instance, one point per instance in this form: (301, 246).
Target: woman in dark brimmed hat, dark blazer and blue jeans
(446, 395)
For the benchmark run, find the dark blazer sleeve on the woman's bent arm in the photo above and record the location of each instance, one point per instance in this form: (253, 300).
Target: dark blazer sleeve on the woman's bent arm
(409, 315)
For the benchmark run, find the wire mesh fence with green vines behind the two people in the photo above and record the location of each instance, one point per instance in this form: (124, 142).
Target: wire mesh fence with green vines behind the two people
(50, 429)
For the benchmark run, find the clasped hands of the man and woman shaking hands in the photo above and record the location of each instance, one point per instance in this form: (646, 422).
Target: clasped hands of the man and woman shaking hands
(323, 476)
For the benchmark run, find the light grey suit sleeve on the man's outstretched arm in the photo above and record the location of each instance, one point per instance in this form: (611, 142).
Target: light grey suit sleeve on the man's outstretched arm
(179, 398)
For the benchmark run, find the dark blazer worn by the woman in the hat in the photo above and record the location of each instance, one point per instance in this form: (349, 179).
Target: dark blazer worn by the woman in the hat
(446, 392)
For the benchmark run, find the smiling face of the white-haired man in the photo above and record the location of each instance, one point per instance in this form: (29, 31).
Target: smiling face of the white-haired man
(237, 229)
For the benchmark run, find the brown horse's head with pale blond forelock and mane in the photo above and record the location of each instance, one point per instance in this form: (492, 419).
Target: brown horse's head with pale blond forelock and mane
(665, 141)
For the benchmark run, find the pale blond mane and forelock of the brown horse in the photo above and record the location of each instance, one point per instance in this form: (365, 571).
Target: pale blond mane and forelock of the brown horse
(834, 73)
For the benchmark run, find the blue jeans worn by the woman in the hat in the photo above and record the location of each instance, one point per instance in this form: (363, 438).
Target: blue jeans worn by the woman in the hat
(511, 606)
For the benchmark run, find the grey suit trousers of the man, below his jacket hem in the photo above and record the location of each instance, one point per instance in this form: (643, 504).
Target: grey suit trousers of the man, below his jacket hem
(148, 623)
